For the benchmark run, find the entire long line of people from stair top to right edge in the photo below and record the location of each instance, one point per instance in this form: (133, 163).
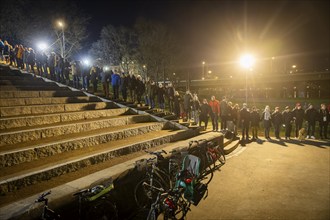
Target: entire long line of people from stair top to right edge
(187, 106)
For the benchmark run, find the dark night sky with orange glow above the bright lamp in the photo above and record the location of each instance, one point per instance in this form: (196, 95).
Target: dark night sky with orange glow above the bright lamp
(218, 31)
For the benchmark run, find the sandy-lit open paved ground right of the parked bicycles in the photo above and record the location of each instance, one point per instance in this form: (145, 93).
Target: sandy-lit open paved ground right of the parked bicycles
(270, 180)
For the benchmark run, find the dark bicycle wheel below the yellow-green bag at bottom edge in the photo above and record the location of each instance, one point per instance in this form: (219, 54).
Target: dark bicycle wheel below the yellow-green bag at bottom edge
(102, 210)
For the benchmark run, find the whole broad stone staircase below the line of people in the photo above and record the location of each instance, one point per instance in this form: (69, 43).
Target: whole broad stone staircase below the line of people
(48, 130)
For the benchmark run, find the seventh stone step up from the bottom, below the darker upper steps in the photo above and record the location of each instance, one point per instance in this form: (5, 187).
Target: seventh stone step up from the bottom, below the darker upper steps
(35, 94)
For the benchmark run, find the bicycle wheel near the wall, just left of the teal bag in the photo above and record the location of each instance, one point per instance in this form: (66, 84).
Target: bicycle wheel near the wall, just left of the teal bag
(144, 195)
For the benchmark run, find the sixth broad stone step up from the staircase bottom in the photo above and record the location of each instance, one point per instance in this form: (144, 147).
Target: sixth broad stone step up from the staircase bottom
(46, 100)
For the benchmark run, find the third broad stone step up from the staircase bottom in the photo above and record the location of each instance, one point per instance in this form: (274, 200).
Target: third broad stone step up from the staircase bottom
(21, 135)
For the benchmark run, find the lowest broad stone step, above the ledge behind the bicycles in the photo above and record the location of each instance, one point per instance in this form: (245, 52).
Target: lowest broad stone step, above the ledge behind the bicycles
(13, 178)
